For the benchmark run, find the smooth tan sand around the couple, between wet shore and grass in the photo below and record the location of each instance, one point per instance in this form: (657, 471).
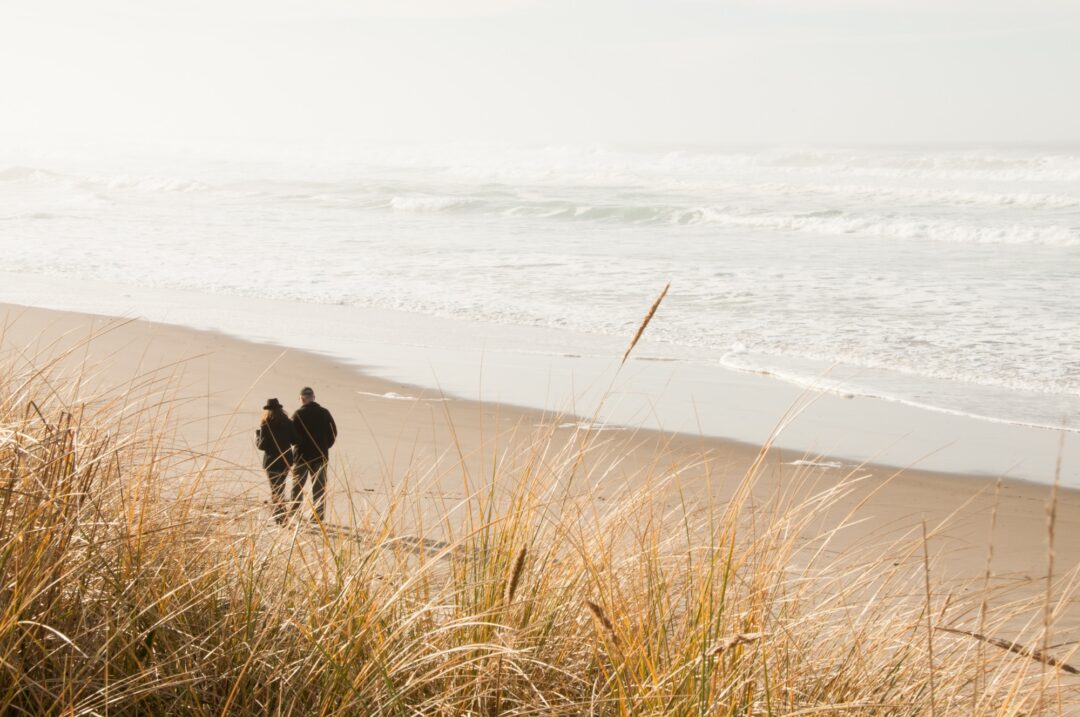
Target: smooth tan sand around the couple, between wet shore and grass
(393, 434)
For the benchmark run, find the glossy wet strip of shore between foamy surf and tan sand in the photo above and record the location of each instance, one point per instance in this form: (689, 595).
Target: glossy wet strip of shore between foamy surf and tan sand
(561, 372)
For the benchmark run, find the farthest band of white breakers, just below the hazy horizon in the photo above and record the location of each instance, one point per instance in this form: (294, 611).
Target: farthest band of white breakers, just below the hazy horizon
(614, 167)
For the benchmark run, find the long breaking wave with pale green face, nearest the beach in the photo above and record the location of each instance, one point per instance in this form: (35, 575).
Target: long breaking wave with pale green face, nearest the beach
(833, 210)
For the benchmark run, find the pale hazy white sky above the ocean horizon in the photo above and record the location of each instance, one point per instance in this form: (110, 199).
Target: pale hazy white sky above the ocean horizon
(582, 72)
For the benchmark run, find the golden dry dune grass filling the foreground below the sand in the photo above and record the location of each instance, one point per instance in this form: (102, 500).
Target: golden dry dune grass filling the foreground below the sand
(127, 592)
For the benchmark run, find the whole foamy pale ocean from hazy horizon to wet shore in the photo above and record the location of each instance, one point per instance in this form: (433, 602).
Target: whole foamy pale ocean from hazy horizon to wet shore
(946, 278)
